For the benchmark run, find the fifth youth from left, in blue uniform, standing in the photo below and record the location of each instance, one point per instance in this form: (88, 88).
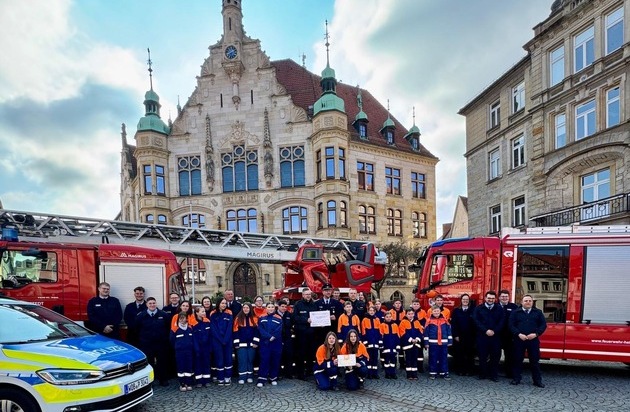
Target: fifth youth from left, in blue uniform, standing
(270, 329)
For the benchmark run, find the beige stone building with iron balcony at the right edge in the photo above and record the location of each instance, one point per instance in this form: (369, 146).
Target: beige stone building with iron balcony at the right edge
(547, 144)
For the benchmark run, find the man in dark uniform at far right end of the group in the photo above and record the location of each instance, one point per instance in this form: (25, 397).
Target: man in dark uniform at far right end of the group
(527, 324)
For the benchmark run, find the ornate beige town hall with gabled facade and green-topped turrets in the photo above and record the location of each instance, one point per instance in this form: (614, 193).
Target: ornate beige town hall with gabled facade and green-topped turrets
(269, 147)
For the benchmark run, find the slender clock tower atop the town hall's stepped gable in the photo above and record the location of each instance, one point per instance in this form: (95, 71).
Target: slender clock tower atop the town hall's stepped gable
(232, 45)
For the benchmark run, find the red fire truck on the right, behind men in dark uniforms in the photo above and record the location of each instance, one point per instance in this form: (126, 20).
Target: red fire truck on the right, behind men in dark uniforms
(578, 276)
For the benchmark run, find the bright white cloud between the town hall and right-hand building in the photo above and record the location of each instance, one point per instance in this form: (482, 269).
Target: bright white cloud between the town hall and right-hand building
(432, 55)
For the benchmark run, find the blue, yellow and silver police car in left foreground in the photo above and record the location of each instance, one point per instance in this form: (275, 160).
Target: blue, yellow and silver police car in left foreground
(50, 364)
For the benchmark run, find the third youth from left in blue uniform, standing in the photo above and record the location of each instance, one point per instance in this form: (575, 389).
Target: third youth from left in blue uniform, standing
(221, 325)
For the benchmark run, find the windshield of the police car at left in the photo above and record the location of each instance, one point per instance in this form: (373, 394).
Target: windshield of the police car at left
(23, 323)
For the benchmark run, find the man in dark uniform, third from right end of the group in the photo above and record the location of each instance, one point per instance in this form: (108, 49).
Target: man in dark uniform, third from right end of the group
(488, 320)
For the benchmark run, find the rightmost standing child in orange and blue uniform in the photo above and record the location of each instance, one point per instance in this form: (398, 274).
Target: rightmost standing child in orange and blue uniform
(437, 338)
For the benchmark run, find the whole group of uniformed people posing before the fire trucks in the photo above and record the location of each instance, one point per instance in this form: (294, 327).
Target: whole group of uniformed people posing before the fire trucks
(203, 343)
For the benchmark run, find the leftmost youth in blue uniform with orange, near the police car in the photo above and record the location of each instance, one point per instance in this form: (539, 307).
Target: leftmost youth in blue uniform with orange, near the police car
(183, 342)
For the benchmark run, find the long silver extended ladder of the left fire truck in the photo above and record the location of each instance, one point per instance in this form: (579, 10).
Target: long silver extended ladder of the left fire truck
(181, 240)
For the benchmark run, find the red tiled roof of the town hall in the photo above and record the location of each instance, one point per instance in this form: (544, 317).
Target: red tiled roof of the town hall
(304, 88)
